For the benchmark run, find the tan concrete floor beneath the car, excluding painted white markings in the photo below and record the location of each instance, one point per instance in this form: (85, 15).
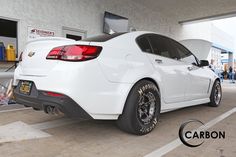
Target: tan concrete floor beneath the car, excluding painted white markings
(103, 138)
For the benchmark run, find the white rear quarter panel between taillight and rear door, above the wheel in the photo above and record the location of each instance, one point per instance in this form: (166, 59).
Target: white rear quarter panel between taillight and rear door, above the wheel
(122, 61)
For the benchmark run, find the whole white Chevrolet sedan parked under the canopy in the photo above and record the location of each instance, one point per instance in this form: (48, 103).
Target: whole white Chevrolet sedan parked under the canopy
(128, 77)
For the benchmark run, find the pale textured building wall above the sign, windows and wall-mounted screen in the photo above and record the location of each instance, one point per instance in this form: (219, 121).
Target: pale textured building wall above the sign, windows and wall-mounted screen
(82, 14)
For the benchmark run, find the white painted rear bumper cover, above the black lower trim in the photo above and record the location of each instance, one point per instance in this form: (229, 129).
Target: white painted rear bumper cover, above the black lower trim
(84, 83)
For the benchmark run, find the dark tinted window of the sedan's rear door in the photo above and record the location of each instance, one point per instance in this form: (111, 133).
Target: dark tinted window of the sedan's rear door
(161, 46)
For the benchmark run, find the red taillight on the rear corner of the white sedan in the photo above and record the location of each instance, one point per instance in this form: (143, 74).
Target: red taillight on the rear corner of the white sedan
(74, 52)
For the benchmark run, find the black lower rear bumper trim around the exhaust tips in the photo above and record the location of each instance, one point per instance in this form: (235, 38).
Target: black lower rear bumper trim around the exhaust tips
(39, 100)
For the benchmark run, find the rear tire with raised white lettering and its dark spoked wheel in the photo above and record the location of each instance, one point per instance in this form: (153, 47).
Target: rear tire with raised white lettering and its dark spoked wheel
(142, 109)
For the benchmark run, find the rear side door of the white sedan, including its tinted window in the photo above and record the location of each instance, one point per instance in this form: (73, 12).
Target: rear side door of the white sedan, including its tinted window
(172, 72)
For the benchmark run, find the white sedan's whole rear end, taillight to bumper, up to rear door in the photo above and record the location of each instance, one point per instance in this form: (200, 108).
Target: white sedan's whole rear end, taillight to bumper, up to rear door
(88, 79)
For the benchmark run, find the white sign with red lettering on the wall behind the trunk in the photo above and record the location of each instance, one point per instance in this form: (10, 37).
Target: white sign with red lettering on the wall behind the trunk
(35, 33)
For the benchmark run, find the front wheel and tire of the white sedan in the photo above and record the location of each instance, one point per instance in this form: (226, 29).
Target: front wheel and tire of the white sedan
(216, 94)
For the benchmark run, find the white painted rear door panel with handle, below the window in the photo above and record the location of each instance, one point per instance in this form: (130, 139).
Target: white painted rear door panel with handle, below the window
(173, 76)
